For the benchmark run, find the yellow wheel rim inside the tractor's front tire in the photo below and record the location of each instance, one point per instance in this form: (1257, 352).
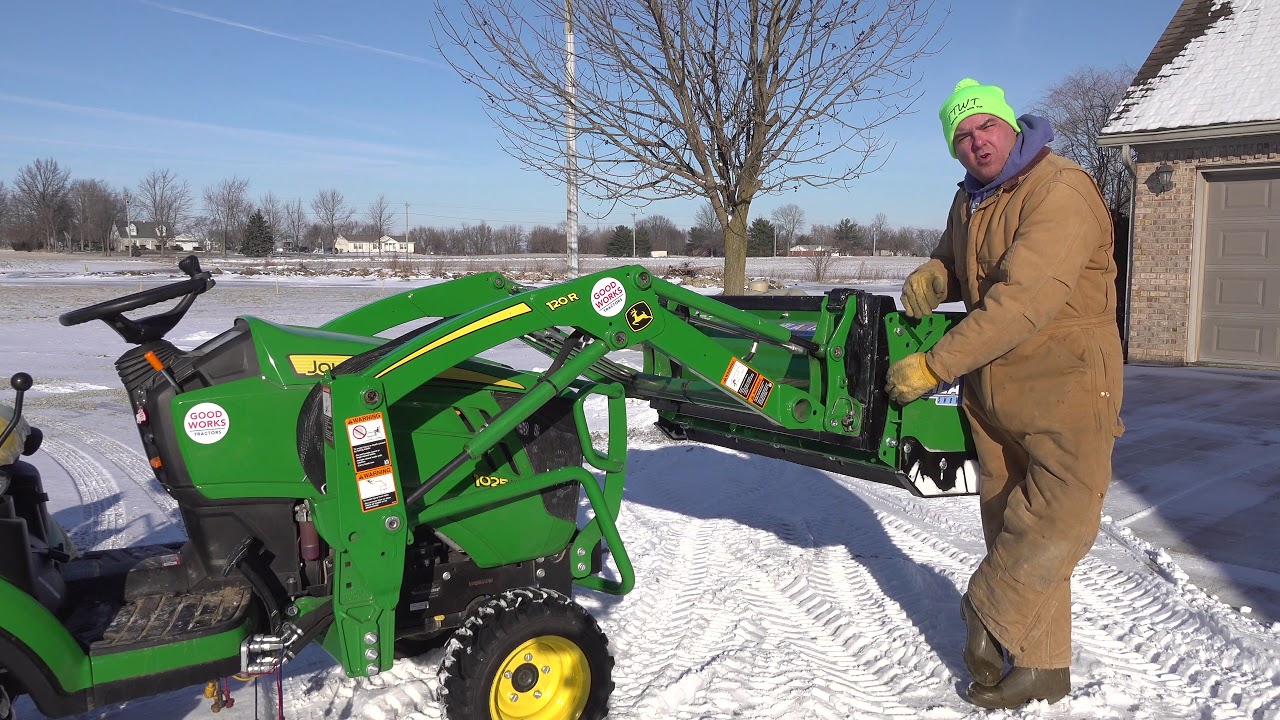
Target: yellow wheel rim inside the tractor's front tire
(547, 678)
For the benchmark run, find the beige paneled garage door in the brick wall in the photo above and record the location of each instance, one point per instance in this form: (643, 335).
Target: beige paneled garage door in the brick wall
(1241, 299)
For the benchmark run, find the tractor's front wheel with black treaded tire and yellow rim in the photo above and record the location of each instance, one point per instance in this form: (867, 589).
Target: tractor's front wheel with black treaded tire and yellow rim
(528, 654)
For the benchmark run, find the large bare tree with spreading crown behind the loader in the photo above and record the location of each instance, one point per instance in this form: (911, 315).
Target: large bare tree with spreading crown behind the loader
(694, 98)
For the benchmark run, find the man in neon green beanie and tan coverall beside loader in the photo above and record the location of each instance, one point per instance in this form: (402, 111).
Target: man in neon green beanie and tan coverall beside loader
(1028, 249)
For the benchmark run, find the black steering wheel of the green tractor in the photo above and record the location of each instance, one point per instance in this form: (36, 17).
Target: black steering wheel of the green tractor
(154, 327)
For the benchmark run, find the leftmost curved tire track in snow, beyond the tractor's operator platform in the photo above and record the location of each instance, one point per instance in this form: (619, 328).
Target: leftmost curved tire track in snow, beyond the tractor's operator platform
(103, 518)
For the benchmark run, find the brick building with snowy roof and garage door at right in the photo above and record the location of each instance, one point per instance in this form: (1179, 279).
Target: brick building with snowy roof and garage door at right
(1203, 120)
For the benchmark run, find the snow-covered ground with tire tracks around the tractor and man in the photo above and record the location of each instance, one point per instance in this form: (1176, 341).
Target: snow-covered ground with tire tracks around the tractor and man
(764, 590)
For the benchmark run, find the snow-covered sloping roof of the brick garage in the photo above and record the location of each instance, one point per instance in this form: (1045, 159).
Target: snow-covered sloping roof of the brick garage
(1217, 65)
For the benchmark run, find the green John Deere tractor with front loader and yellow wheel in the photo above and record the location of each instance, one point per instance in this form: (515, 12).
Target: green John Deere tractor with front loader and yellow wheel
(381, 498)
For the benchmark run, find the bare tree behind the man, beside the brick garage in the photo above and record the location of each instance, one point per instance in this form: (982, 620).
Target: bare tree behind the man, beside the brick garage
(1080, 107)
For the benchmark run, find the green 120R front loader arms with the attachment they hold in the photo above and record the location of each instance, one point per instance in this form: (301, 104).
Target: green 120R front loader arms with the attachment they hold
(802, 384)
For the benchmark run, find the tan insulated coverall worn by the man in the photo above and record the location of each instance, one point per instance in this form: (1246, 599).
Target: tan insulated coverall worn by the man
(1041, 356)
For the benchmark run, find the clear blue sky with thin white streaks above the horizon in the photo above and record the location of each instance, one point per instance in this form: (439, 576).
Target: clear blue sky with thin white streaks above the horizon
(304, 97)
